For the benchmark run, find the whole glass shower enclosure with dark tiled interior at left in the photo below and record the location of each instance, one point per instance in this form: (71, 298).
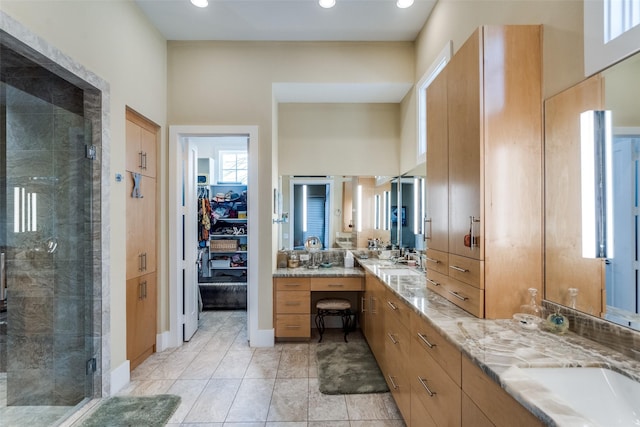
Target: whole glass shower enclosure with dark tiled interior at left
(46, 237)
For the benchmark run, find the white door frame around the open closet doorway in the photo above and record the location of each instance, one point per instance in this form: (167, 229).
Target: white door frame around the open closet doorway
(176, 133)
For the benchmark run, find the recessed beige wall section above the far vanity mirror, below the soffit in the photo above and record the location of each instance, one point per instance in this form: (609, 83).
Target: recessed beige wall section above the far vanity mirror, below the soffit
(330, 139)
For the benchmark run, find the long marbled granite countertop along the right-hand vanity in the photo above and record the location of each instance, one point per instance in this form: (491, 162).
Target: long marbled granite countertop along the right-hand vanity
(501, 347)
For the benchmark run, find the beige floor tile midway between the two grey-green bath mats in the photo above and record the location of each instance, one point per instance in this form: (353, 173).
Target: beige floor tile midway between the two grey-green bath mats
(252, 400)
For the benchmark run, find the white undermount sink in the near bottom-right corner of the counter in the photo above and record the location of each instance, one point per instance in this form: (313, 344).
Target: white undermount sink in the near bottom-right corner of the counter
(602, 395)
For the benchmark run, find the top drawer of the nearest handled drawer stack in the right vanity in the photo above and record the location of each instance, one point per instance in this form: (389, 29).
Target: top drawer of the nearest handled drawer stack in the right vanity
(424, 335)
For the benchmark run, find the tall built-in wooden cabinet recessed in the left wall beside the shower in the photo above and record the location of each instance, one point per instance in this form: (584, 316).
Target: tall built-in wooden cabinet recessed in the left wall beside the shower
(142, 140)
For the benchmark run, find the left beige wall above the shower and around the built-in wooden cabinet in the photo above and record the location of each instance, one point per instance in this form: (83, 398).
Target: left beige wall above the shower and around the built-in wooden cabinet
(113, 40)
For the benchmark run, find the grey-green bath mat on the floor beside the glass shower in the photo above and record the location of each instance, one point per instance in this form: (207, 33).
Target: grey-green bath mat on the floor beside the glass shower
(132, 411)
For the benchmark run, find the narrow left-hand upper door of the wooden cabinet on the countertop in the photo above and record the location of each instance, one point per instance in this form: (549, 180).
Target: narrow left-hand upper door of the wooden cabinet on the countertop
(437, 197)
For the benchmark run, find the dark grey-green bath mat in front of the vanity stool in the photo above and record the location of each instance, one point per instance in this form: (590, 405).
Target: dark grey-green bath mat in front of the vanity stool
(348, 368)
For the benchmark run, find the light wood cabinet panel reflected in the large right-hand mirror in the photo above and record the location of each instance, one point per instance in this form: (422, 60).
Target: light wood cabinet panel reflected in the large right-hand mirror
(564, 265)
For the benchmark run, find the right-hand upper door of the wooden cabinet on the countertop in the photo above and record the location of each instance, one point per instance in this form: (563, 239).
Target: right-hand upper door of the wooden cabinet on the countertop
(464, 114)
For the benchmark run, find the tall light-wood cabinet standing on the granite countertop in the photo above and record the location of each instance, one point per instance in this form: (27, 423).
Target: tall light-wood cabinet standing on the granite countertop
(492, 136)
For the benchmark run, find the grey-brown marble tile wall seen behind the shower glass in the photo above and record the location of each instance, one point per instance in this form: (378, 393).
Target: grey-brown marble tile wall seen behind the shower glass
(49, 269)
